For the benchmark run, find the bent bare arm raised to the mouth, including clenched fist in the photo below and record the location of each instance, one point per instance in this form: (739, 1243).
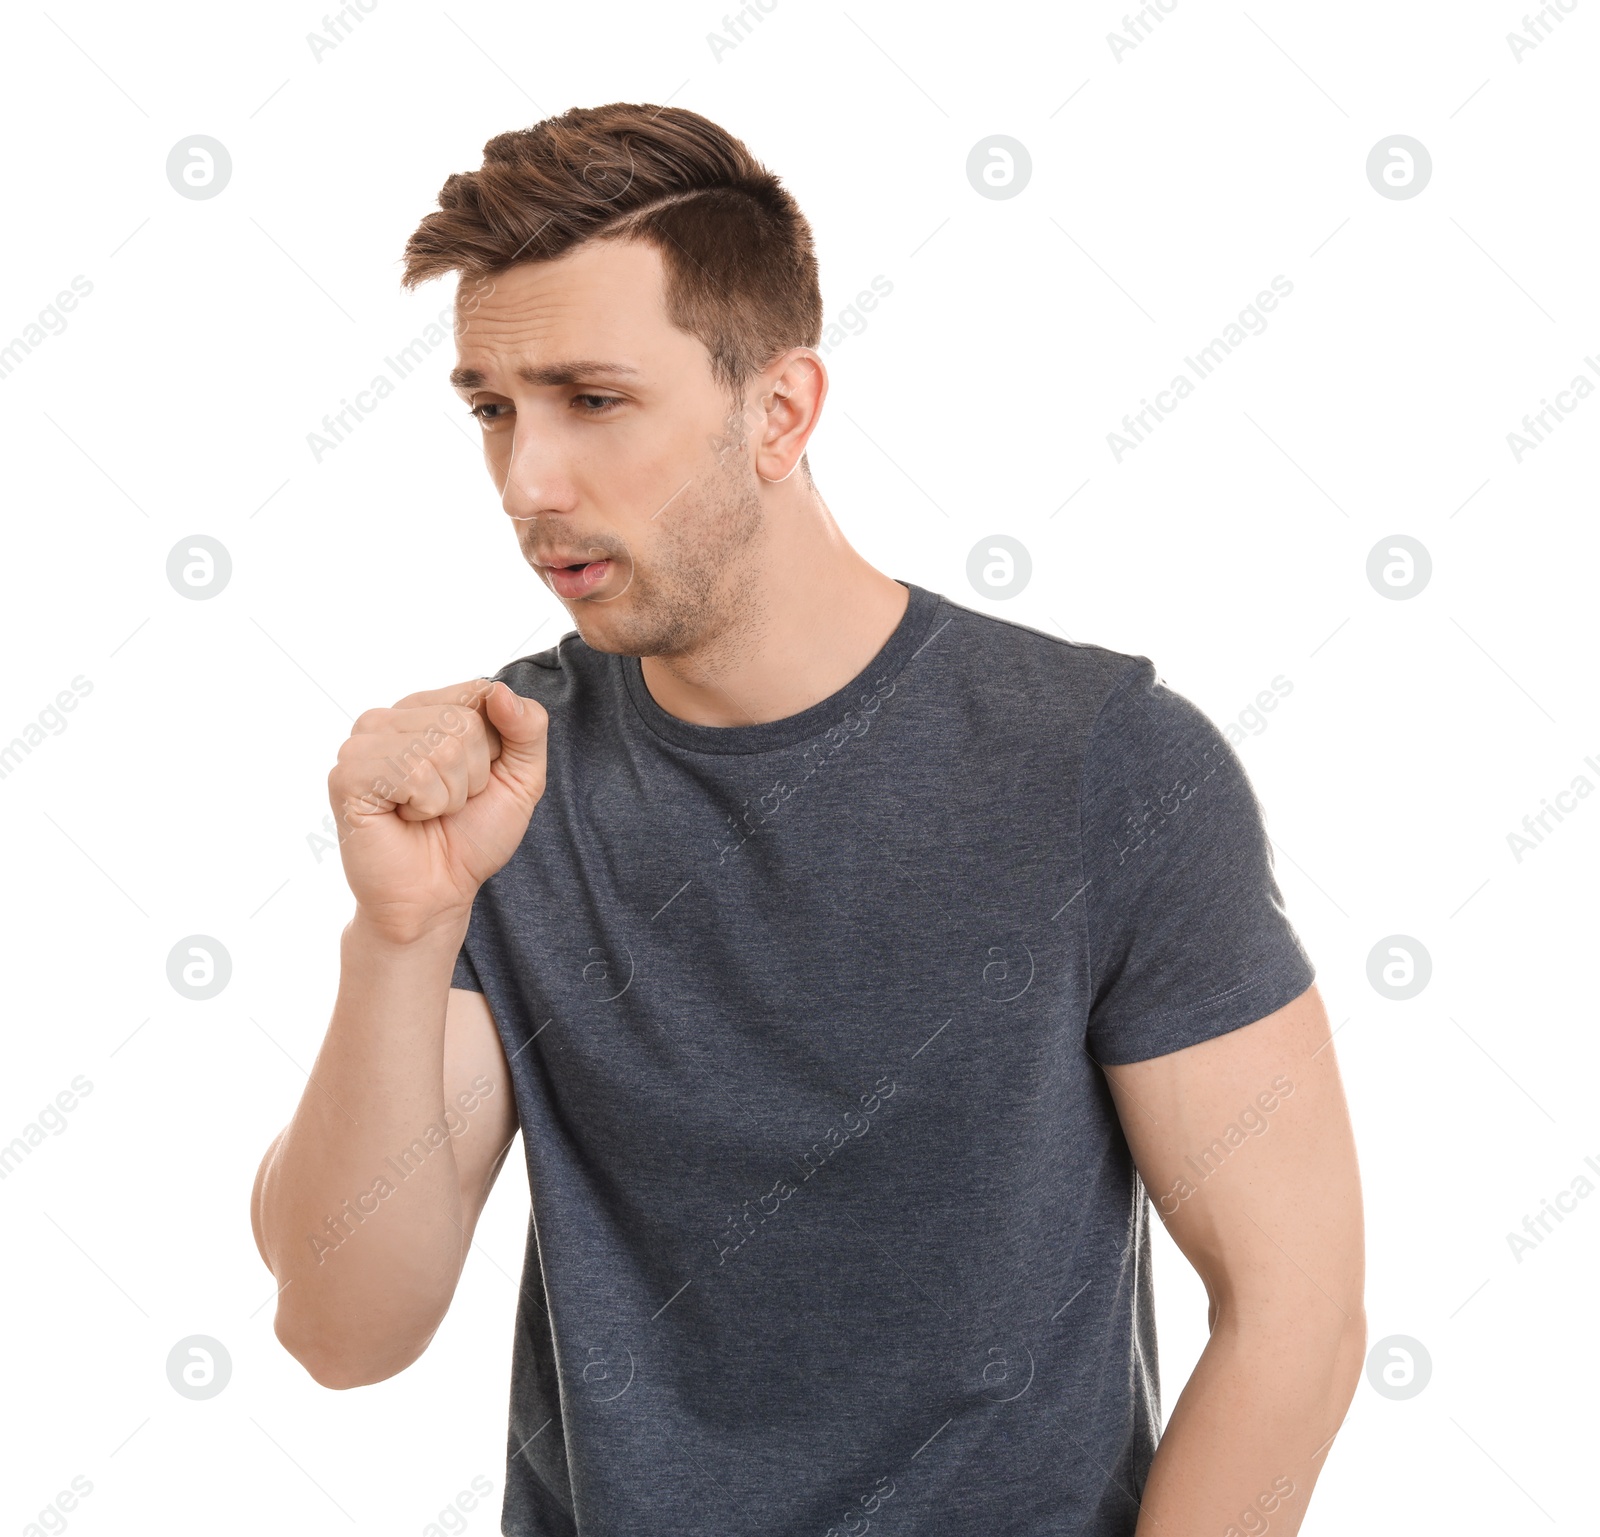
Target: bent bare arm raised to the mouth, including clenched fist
(364, 1205)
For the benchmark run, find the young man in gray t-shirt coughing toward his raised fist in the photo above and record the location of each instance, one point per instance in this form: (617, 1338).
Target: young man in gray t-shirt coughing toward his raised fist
(855, 964)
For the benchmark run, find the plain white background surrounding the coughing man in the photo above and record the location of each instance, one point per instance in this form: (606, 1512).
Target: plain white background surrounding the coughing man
(1167, 190)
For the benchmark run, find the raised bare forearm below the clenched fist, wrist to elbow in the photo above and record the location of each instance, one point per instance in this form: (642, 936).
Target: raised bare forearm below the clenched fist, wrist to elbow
(359, 1202)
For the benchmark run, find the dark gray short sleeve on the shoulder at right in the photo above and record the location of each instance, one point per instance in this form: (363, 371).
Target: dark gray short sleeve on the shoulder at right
(1188, 932)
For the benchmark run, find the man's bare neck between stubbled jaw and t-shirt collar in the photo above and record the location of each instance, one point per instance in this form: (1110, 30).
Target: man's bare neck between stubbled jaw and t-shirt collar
(810, 613)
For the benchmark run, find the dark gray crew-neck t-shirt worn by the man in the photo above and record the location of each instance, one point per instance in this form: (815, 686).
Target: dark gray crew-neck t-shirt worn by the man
(833, 1220)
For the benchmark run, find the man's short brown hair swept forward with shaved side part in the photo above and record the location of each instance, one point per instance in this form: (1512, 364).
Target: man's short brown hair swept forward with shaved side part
(740, 265)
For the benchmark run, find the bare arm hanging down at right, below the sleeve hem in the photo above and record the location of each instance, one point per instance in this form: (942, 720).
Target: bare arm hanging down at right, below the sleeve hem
(1246, 1148)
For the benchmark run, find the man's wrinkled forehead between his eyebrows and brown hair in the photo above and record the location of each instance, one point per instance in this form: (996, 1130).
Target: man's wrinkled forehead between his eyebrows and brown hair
(598, 301)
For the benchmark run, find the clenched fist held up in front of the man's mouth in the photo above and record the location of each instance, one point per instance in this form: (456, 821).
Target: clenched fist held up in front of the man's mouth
(433, 797)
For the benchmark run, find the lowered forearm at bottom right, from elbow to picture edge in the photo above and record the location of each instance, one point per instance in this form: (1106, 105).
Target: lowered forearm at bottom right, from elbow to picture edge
(1252, 1429)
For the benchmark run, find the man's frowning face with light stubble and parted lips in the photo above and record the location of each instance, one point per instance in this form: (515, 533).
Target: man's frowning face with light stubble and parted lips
(612, 444)
